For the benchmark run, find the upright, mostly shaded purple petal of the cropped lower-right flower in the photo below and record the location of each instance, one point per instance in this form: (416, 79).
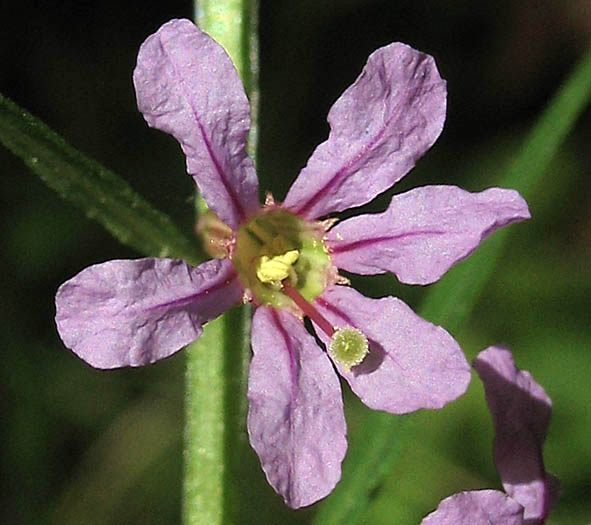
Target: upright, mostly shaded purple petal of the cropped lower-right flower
(521, 412)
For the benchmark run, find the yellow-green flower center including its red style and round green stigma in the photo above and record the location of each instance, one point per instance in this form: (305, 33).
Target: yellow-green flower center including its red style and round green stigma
(282, 262)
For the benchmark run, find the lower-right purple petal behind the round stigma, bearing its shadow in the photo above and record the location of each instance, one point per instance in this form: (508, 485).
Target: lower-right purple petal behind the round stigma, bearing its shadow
(411, 364)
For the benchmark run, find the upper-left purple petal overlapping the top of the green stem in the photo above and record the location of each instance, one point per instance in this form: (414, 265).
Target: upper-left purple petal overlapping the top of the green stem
(186, 85)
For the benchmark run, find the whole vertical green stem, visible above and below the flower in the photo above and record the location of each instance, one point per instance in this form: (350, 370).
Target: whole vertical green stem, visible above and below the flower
(216, 443)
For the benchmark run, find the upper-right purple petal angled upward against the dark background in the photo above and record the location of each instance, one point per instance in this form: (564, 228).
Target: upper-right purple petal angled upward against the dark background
(380, 127)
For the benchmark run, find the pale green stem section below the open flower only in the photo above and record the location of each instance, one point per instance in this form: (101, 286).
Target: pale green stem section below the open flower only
(215, 411)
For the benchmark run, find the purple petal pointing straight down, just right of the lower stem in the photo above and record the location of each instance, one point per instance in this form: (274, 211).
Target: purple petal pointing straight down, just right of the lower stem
(296, 422)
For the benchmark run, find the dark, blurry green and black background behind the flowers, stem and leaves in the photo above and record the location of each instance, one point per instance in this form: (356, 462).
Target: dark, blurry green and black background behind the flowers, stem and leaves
(85, 446)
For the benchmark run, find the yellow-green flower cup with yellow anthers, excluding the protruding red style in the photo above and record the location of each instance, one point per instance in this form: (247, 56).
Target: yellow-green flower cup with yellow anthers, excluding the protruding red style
(275, 246)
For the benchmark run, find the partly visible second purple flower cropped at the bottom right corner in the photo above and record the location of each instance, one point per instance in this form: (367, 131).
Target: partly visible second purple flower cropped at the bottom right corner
(521, 412)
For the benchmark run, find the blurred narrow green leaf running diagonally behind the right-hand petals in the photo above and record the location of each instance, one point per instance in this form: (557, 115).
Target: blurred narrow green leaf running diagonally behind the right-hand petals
(450, 302)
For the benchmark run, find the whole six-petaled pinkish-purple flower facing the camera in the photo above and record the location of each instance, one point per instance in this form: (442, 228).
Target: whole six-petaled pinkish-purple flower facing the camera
(285, 260)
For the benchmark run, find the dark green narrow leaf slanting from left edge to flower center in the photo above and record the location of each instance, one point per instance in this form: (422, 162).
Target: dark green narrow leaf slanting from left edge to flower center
(102, 194)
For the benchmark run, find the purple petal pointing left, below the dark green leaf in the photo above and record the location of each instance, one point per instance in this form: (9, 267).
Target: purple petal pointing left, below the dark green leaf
(134, 312)
